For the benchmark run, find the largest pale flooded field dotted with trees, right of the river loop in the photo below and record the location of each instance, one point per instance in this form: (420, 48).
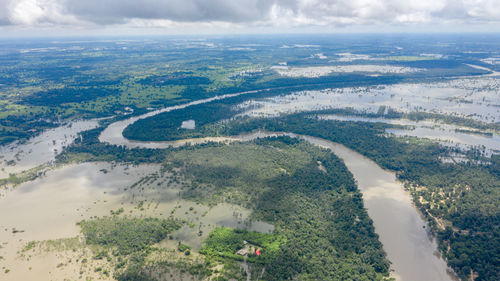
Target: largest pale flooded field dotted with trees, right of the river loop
(475, 98)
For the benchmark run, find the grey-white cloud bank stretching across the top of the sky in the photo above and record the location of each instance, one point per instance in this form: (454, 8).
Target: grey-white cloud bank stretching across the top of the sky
(271, 13)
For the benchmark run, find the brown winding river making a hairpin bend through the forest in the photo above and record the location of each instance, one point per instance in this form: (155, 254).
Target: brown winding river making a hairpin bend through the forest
(402, 230)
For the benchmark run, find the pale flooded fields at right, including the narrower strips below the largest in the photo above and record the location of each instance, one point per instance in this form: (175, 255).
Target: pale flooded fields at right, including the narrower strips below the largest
(475, 98)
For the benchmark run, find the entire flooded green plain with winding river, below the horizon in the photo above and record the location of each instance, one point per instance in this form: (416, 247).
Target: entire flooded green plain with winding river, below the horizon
(315, 161)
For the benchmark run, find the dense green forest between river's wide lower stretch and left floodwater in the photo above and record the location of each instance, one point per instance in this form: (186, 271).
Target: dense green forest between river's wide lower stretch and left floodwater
(328, 232)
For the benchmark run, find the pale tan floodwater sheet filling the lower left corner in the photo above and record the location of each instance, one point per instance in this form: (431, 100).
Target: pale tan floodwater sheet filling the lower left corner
(49, 207)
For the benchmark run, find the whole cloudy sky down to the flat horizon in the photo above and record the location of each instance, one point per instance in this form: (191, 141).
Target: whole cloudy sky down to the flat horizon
(102, 17)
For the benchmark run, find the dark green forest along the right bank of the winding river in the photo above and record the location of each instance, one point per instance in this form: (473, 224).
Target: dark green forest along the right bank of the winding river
(459, 200)
